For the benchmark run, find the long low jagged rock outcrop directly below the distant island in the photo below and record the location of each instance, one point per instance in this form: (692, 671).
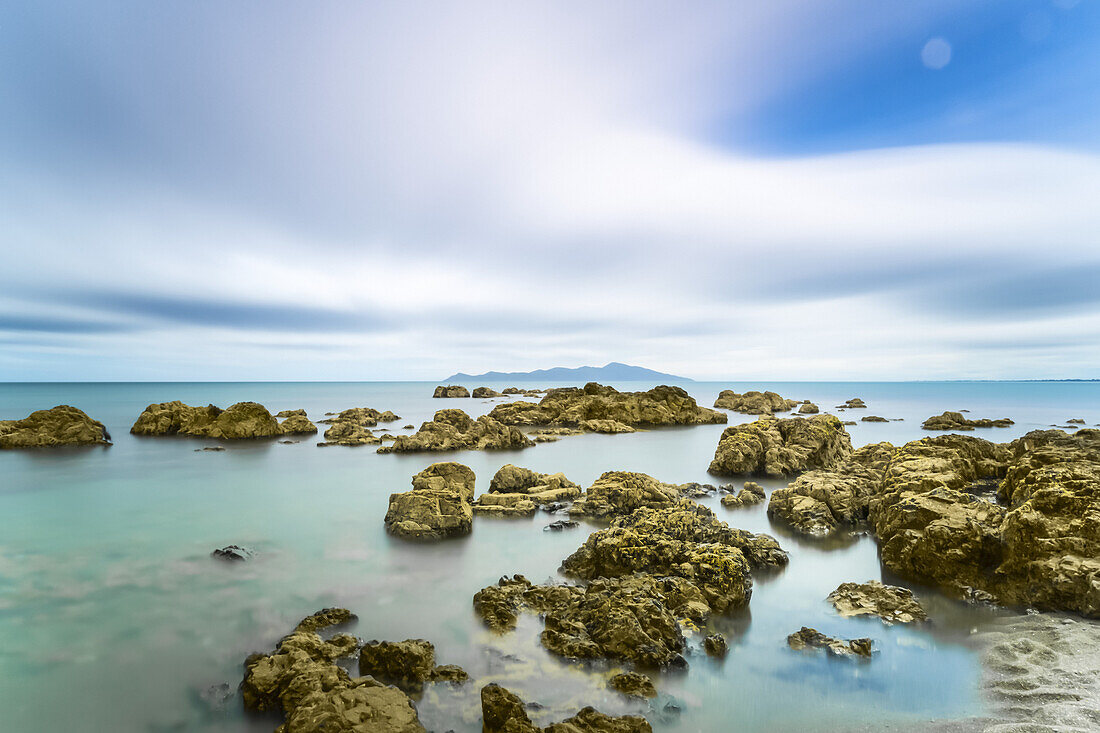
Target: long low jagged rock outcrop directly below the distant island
(573, 408)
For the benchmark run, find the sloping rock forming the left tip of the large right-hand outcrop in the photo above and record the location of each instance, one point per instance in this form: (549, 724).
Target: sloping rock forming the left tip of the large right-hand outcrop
(819, 504)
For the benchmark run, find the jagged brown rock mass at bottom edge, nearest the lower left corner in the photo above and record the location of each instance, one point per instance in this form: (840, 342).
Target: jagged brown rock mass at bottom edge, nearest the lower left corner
(302, 681)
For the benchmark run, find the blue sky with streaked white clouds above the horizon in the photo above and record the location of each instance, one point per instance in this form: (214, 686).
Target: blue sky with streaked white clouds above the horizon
(854, 190)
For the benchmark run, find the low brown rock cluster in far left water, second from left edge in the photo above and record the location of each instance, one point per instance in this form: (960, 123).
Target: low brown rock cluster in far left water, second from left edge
(243, 421)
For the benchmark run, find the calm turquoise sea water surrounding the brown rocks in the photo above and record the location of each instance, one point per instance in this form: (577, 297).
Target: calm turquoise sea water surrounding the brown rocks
(115, 618)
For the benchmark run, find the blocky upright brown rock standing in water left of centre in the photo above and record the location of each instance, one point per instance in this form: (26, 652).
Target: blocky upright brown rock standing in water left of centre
(437, 508)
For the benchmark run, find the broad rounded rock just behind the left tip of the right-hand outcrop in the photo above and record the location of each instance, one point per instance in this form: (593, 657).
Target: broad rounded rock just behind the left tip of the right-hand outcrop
(782, 446)
